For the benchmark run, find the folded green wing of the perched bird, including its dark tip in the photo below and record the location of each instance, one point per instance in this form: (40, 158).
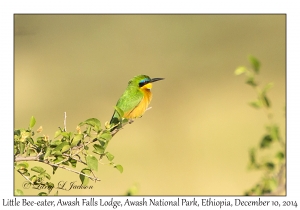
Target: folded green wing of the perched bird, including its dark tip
(128, 101)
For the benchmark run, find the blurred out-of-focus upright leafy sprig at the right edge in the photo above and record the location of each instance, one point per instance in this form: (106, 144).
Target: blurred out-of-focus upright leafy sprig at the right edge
(273, 165)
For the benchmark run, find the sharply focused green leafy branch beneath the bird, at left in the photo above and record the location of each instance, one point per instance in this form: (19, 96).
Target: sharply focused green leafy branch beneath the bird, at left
(65, 150)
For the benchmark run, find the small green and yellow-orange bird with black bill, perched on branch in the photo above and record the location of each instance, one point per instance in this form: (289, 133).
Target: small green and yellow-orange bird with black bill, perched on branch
(135, 99)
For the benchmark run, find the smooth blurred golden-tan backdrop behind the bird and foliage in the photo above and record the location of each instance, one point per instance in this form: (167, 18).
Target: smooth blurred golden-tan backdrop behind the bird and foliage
(195, 139)
